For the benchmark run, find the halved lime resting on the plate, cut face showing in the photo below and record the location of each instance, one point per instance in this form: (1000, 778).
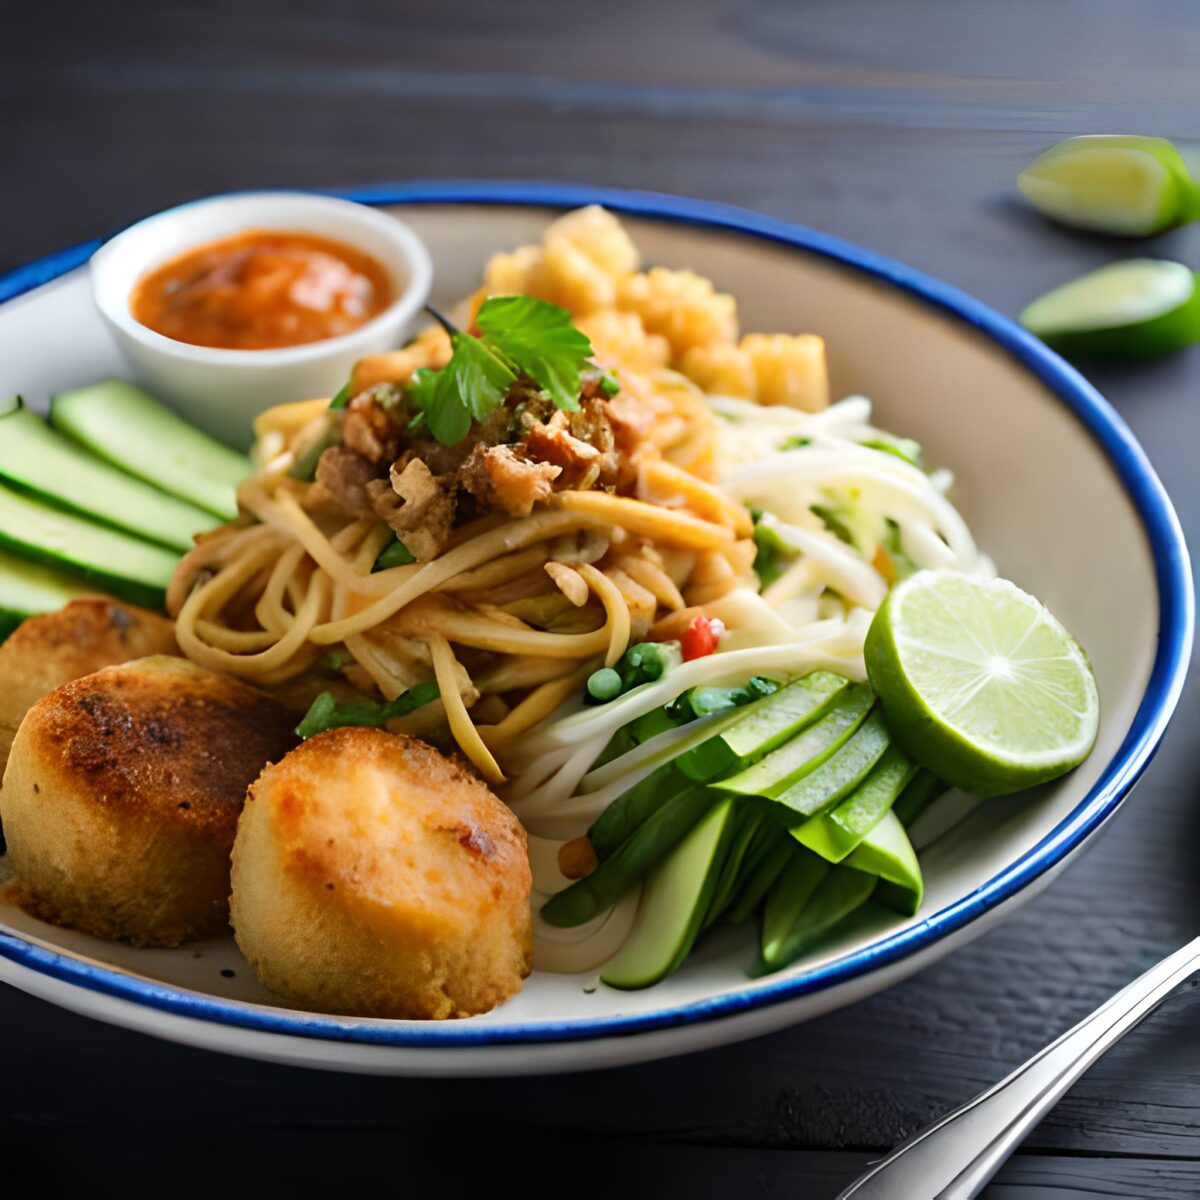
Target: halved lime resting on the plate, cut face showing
(980, 683)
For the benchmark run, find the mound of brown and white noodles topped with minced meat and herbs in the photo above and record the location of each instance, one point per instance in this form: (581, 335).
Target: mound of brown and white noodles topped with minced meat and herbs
(529, 578)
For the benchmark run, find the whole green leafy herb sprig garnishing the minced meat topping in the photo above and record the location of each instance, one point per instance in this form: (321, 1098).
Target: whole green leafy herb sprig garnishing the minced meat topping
(519, 337)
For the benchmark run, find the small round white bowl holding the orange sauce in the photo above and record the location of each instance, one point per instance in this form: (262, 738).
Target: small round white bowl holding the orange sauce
(223, 392)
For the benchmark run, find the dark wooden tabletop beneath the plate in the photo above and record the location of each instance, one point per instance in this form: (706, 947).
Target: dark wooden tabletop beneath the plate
(898, 125)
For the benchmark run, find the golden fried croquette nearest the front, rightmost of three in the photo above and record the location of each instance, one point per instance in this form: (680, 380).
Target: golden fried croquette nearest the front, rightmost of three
(374, 877)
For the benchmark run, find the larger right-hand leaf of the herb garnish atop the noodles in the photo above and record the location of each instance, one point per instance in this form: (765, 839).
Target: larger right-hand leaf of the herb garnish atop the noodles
(538, 339)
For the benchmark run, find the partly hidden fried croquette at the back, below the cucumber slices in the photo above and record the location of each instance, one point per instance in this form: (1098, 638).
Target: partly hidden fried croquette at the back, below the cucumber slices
(81, 638)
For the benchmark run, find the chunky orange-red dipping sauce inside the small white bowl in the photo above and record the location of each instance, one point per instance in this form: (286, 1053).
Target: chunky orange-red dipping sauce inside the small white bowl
(262, 291)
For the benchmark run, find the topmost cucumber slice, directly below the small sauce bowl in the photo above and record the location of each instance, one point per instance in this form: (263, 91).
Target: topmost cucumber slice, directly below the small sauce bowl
(131, 430)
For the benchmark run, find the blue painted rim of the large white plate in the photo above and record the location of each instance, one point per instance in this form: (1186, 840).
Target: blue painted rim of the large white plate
(1177, 617)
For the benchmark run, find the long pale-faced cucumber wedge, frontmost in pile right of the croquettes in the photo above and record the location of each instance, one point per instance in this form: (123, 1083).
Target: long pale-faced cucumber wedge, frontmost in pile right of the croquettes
(675, 901)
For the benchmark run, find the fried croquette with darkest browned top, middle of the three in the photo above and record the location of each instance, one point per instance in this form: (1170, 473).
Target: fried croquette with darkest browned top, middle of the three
(122, 797)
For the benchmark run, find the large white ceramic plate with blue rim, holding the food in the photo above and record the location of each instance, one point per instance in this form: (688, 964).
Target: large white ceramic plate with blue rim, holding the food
(1049, 478)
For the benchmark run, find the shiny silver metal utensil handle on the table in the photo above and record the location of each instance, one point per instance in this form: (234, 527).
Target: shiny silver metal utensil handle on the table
(953, 1159)
